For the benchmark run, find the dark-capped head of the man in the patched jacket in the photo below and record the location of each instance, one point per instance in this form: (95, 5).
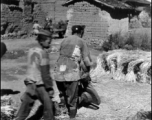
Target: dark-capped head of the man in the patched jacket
(78, 30)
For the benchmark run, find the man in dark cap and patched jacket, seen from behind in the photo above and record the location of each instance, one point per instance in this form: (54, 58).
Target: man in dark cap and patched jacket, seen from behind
(73, 50)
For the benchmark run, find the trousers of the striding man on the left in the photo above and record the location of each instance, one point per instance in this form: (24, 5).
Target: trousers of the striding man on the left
(33, 93)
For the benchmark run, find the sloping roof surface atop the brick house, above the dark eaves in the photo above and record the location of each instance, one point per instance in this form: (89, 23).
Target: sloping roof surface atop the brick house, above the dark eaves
(109, 3)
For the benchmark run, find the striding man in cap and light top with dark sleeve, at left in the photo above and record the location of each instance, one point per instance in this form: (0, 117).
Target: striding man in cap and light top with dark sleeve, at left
(38, 81)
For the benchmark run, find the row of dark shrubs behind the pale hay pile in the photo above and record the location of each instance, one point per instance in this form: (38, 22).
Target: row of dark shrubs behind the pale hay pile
(128, 42)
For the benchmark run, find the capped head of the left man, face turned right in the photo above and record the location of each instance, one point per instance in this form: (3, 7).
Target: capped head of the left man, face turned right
(44, 38)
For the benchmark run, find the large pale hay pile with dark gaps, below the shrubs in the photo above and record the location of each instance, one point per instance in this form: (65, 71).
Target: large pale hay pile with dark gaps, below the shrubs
(132, 66)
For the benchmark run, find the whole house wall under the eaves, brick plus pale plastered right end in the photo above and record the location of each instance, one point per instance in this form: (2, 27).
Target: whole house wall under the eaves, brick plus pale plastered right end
(99, 23)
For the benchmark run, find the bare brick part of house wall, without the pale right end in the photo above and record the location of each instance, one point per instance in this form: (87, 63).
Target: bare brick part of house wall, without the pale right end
(84, 13)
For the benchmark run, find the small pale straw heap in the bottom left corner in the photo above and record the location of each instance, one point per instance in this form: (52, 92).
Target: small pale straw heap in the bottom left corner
(7, 108)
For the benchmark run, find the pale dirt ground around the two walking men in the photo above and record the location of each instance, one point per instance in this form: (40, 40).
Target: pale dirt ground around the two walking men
(119, 99)
